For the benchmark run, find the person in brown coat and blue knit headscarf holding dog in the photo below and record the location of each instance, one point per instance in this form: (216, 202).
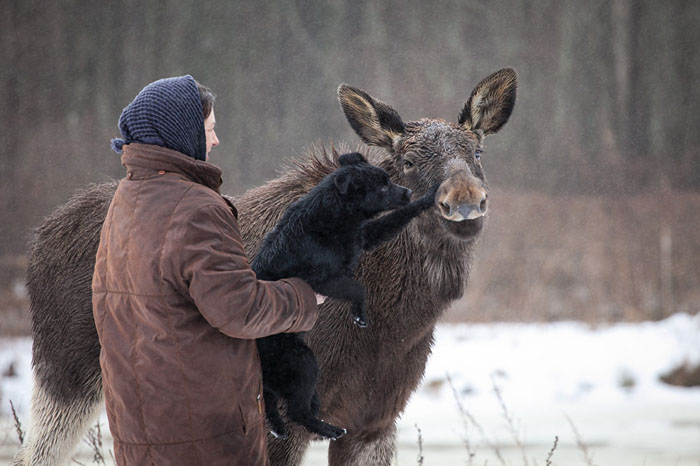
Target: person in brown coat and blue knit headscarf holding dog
(176, 304)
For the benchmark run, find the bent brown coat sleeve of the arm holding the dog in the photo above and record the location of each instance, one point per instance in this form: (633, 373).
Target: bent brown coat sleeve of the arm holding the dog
(212, 262)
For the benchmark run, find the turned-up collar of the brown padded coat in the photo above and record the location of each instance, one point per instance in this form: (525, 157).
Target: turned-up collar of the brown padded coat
(144, 161)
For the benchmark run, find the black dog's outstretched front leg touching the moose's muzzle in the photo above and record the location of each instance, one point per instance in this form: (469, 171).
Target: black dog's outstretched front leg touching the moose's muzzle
(382, 229)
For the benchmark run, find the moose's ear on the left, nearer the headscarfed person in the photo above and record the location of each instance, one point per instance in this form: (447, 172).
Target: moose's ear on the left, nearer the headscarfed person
(375, 122)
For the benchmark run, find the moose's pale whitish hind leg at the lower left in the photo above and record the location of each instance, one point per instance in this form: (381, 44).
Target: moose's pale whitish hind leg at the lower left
(57, 426)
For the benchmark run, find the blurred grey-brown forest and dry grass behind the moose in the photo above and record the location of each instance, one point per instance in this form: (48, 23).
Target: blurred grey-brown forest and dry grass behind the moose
(595, 181)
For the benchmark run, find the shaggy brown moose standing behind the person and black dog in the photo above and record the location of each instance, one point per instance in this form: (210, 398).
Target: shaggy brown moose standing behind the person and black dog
(367, 375)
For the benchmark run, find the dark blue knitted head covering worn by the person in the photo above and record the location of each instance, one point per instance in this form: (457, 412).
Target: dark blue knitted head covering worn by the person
(166, 113)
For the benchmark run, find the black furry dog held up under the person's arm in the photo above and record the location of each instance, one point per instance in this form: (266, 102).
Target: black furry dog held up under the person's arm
(320, 238)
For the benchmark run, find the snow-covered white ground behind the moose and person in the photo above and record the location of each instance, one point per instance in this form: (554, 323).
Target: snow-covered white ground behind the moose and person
(604, 379)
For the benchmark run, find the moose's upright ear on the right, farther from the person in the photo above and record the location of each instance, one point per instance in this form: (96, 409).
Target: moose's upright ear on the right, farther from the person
(491, 102)
